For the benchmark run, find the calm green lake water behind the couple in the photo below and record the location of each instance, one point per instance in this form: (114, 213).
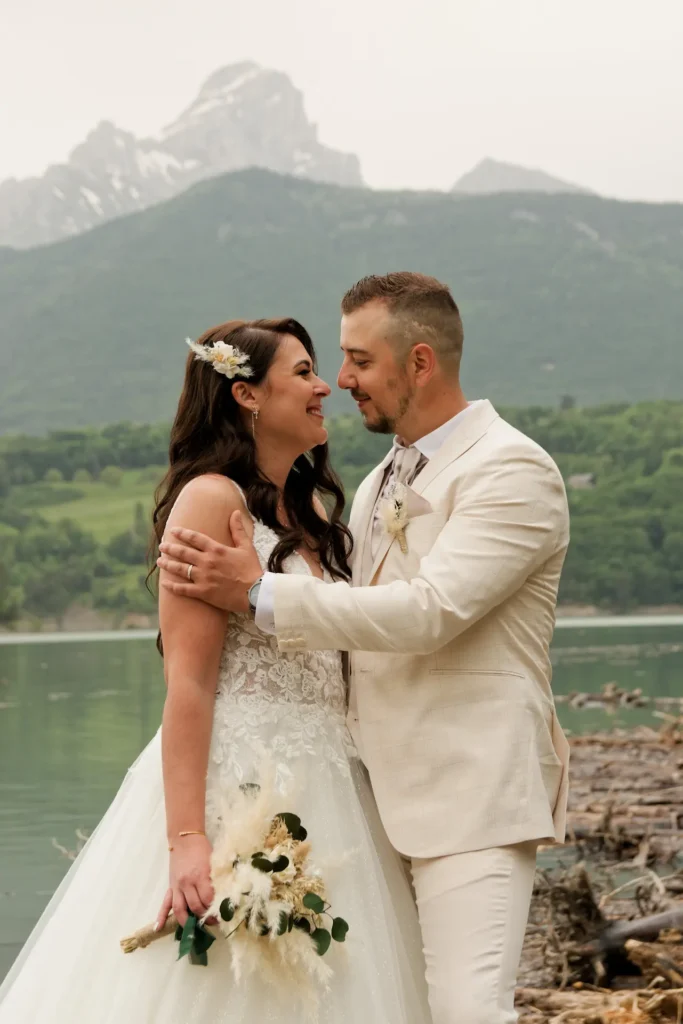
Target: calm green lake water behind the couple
(76, 712)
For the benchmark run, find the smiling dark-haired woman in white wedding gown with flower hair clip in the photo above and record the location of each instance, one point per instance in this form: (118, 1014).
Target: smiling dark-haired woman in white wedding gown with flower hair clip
(248, 436)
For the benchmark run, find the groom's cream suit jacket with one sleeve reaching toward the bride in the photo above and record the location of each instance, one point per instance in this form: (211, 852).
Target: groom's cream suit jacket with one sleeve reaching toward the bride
(451, 706)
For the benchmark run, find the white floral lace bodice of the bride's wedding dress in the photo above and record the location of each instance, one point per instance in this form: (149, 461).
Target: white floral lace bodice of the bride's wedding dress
(275, 705)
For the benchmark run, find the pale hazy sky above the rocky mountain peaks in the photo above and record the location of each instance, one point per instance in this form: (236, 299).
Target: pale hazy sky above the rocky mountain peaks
(591, 91)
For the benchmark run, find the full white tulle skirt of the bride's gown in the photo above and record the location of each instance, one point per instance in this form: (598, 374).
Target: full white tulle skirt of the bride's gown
(72, 968)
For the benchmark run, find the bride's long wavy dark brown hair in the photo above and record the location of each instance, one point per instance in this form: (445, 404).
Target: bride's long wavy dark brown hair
(210, 436)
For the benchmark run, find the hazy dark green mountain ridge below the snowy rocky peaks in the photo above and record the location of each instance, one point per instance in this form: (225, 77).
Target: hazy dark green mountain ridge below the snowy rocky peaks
(562, 295)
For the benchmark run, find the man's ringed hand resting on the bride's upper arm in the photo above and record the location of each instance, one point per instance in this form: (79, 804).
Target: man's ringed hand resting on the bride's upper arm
(207, 571)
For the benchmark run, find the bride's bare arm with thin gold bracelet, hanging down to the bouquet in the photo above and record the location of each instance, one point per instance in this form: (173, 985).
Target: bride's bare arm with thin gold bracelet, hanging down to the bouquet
(193, 636)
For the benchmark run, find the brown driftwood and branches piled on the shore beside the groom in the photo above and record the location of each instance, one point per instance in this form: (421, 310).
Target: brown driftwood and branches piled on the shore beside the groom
(607, 948)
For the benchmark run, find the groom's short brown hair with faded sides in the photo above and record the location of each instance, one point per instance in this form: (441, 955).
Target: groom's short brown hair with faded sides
(422, 308)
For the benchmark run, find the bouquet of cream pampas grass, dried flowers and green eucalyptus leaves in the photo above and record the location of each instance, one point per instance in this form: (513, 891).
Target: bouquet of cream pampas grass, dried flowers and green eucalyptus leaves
(269, 902)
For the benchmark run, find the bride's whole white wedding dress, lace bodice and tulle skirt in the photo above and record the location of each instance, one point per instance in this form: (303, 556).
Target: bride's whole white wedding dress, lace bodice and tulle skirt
(291, 710)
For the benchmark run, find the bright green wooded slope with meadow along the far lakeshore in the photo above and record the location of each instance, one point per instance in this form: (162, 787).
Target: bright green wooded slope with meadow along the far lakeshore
(75, 507)
